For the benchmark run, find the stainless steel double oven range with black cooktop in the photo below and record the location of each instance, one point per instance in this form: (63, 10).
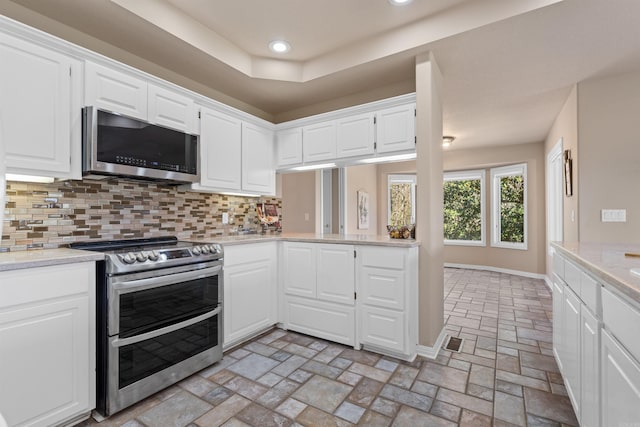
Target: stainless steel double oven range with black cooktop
(159, 316)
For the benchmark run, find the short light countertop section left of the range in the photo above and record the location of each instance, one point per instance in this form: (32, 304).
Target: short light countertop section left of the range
(43, 257)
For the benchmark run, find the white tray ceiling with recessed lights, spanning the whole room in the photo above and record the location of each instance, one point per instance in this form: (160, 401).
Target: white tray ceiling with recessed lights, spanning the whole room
(508, 65)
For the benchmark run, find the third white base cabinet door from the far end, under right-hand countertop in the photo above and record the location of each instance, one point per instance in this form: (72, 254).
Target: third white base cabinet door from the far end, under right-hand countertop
(590, 369)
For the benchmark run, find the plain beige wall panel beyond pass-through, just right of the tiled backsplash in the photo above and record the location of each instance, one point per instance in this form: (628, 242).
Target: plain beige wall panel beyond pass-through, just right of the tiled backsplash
(298, 199)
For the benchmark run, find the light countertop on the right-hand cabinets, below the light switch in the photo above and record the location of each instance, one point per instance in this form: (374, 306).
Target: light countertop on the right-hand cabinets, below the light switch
(607, 262)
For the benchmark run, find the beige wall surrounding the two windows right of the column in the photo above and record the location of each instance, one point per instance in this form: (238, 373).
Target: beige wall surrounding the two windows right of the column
(531, 260)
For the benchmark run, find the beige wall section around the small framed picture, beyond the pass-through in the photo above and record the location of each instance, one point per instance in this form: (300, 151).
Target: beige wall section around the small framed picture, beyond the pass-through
(361, 178)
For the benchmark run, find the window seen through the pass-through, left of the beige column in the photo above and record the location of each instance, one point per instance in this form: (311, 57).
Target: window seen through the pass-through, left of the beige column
(402, 200)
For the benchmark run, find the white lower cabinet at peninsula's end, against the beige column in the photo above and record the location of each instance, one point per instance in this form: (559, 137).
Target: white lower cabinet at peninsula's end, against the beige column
(387, 299)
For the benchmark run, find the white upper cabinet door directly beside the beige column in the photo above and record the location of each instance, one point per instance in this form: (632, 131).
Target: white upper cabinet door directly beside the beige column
(395, 129)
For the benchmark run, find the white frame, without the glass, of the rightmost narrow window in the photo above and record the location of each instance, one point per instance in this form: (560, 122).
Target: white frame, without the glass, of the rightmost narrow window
(496, 175)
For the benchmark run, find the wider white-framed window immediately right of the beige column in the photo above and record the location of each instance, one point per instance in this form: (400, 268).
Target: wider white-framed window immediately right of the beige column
(464, 208)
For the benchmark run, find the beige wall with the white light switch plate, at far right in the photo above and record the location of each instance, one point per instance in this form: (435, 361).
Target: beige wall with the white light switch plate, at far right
(609, 157)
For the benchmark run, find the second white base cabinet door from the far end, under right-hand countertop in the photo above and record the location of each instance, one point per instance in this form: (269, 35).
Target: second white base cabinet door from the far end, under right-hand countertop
(571, 347)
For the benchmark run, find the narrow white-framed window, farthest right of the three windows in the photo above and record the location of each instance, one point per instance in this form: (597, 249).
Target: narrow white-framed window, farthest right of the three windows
(509, 207)
